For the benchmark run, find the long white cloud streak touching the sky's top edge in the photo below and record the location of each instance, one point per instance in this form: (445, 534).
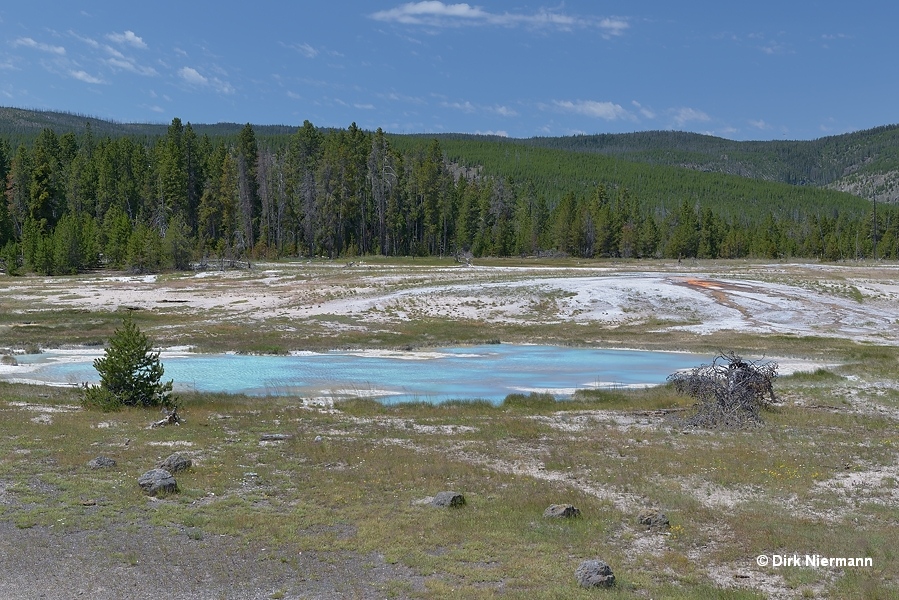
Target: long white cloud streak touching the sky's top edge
(432, 13)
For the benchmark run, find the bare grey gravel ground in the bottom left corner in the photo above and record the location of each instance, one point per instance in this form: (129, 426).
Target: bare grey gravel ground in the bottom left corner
(143, 562)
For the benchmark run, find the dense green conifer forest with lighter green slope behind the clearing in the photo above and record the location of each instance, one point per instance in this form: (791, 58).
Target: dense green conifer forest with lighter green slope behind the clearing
(74, 202)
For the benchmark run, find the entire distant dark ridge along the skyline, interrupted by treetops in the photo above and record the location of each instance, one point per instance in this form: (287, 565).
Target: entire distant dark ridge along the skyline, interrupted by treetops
(863, 163)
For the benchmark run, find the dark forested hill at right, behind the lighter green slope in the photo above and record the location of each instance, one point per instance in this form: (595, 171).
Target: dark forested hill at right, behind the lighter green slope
(864, 163)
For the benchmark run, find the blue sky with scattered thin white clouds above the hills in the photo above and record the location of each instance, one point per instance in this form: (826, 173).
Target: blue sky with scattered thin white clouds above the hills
(762, 70)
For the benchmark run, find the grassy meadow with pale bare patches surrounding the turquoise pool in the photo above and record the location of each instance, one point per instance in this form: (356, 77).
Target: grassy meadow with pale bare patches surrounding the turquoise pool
(349, 483)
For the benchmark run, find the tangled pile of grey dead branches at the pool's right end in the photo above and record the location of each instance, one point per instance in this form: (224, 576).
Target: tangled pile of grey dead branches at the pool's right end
(730, 392)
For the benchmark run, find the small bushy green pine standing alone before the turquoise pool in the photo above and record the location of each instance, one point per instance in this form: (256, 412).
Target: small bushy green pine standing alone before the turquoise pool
(130, 373)
